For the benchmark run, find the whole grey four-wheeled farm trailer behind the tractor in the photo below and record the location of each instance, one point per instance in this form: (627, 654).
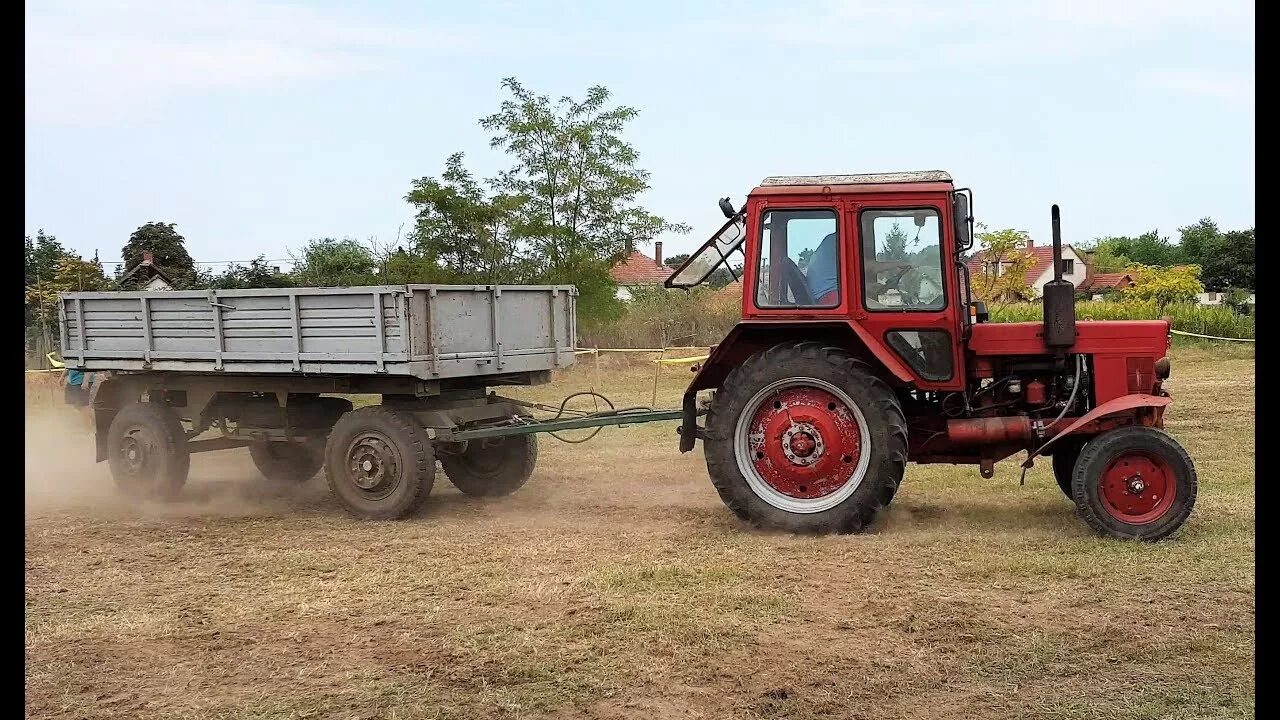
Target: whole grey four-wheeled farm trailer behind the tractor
(262, 370)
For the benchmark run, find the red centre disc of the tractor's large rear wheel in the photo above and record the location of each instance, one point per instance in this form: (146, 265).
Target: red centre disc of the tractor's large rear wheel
(806, 443)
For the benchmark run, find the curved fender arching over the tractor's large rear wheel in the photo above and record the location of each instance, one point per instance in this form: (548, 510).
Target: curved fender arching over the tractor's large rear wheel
(747, 339)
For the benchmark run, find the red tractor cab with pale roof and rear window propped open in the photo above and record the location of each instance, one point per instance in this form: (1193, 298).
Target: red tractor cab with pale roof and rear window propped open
(879, 252)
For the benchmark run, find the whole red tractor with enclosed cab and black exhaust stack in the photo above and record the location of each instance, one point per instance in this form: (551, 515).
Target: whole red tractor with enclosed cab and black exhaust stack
(861, 348)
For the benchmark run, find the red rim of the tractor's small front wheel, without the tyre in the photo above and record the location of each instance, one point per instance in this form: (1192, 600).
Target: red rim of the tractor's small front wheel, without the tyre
(1139, 487)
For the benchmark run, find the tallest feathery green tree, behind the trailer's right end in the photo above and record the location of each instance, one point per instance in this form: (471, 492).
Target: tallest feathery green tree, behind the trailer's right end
(578, 185)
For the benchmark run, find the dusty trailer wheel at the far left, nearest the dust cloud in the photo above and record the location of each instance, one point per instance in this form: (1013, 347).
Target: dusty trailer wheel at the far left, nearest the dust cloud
(148, 452)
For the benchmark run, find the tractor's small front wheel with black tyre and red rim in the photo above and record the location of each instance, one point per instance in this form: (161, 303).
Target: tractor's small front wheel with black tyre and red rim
(1135, 484)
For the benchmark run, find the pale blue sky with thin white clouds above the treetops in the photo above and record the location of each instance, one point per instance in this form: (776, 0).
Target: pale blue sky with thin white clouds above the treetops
(259, 126)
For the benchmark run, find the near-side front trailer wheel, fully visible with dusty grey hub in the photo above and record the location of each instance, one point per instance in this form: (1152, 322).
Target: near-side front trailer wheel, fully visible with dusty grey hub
(380, 463)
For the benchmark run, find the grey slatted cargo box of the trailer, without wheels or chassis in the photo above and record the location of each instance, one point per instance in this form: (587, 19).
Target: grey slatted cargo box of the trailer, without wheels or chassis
(422, 331)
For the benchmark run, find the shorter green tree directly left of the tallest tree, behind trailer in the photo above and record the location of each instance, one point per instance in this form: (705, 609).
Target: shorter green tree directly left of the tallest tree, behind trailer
(461, 231)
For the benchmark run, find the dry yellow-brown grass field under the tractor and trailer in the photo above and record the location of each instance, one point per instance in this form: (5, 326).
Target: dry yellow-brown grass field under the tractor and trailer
(615, 585)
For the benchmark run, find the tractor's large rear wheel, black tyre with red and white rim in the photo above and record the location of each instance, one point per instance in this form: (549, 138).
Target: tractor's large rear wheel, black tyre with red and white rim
(807, 439)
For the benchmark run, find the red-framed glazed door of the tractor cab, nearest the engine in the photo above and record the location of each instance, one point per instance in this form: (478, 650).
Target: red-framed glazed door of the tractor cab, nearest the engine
(903, 290)
